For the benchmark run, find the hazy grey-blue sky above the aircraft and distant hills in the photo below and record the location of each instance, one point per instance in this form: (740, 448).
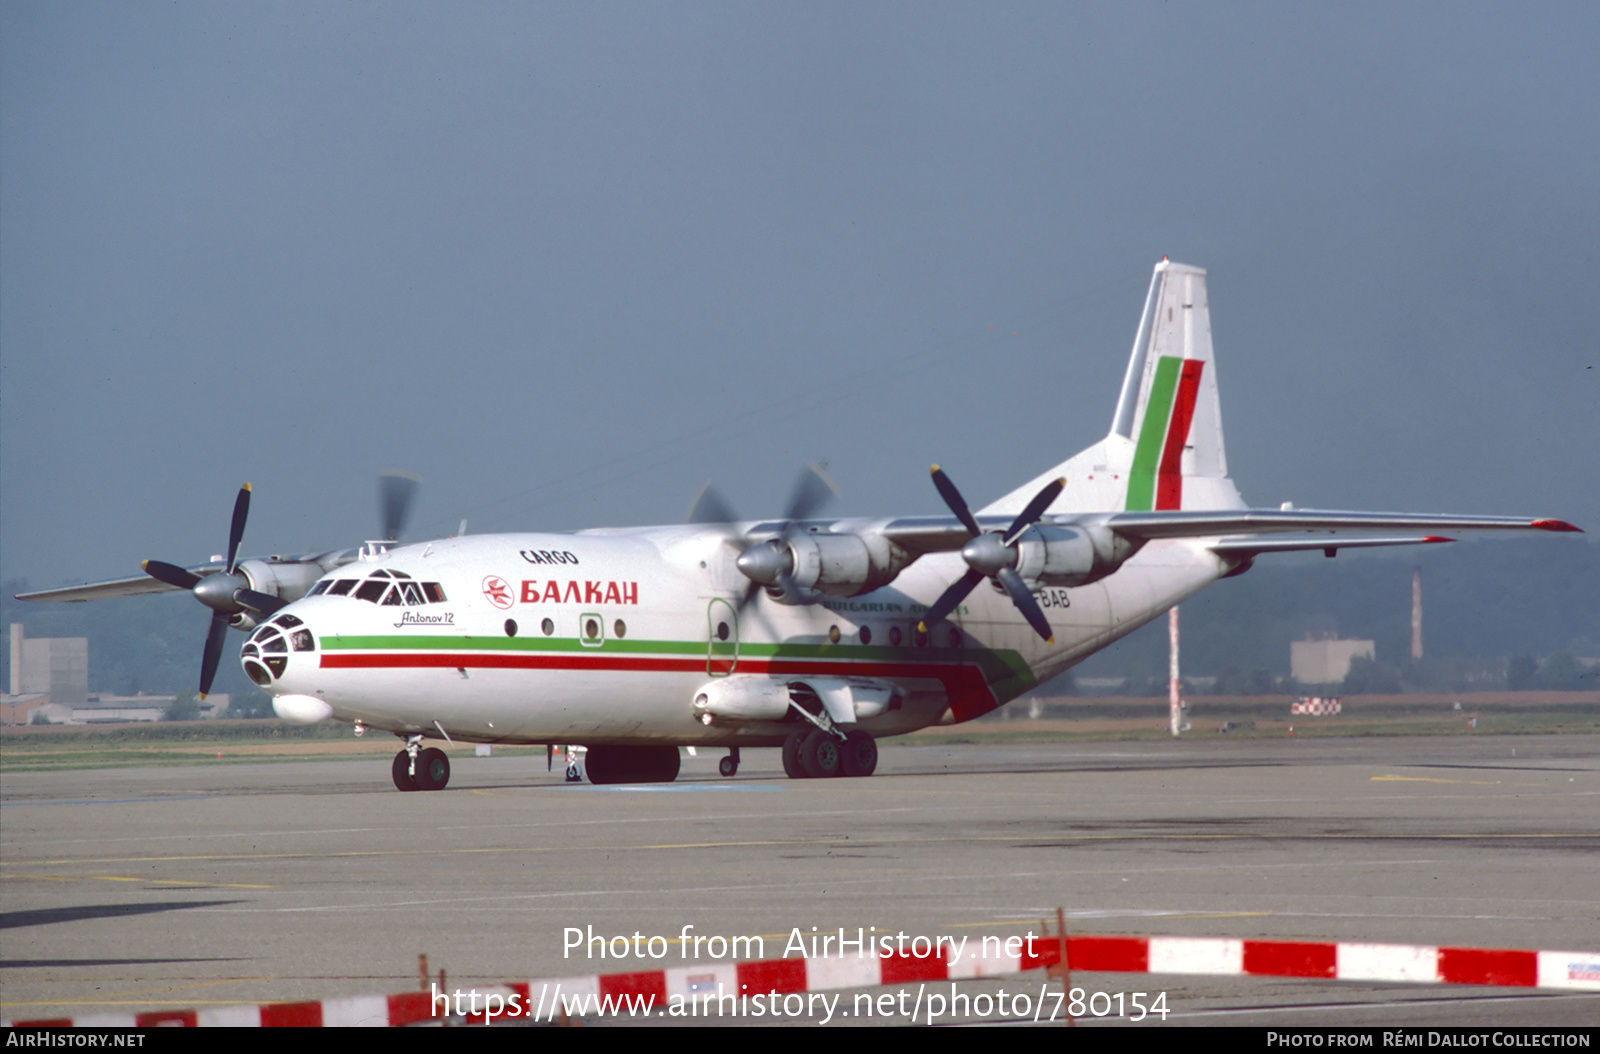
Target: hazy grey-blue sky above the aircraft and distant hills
(570, 262)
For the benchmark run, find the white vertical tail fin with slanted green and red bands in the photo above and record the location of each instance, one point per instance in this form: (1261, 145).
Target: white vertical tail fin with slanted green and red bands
(1166, 444)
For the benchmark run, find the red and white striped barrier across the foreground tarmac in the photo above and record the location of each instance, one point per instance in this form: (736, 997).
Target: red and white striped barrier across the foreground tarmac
(1126, 956)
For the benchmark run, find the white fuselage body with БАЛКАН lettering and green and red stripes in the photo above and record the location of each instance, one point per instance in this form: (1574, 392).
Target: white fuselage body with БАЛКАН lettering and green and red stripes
(606, 637)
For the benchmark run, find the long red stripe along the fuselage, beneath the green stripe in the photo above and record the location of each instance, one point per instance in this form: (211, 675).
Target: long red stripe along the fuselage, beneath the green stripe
(966, 685)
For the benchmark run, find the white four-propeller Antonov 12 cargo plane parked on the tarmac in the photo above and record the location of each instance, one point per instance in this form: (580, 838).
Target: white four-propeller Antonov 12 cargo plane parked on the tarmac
(807, 634)
